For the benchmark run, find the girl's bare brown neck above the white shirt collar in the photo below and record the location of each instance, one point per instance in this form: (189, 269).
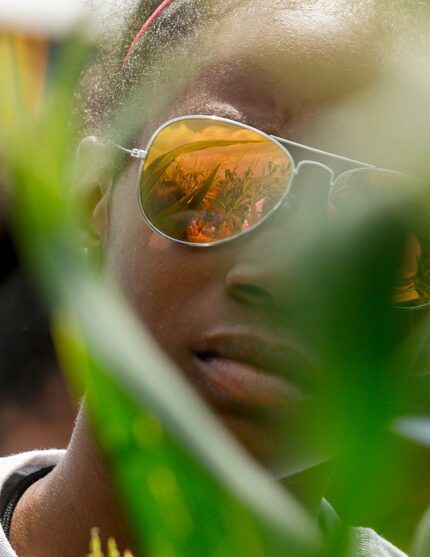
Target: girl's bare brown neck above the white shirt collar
(55, 515)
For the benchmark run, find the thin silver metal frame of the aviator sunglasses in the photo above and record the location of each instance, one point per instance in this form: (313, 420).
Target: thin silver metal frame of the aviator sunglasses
(280, 142)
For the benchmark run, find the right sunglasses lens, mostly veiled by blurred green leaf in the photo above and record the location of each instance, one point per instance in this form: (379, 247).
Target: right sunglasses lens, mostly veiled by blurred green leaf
(361, 191)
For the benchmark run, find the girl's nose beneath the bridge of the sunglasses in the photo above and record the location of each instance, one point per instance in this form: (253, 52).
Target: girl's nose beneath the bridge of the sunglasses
(269, 268)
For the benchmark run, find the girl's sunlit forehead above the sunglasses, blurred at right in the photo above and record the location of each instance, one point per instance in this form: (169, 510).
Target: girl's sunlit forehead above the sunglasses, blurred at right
(301, 59)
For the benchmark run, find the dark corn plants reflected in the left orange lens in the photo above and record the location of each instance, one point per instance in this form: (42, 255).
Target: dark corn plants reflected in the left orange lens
(211, 207)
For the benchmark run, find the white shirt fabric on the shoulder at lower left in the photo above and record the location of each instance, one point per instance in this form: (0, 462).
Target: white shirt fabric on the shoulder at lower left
(13, 469)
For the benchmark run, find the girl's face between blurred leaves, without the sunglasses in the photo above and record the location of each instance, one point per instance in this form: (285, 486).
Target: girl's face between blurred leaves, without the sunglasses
(233, 317)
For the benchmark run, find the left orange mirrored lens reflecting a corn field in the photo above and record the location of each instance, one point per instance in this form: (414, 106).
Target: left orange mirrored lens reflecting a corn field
(204, 181)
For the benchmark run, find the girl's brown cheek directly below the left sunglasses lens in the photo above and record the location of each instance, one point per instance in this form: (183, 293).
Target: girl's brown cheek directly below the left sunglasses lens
(171, 287)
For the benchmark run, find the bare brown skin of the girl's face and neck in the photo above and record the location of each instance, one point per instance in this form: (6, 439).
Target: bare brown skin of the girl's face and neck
(196, 300)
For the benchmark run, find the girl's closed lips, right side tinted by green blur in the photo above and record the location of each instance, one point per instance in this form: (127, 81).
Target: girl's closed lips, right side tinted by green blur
(240, 370)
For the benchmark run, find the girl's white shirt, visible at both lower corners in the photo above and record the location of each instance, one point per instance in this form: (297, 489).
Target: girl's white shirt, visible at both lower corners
(14, 468)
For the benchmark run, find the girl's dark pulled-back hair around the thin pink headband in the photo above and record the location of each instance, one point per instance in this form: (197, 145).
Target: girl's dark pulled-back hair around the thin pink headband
(107, 83)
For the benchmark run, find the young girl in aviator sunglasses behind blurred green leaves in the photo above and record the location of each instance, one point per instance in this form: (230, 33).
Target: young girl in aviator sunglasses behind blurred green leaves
(212, 278)
